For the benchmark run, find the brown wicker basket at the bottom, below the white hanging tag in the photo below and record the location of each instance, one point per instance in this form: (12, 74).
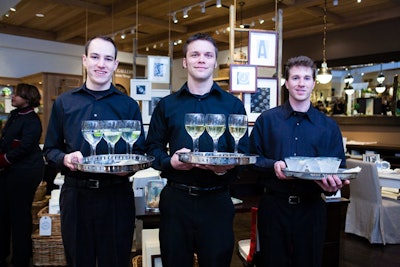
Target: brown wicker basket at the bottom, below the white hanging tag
(47, 251)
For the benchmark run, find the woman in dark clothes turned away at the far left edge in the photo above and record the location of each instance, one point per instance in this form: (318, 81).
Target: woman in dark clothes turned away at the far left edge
(22, 167)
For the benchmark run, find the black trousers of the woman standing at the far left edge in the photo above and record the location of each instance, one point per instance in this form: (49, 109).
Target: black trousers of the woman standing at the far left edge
(17, 189)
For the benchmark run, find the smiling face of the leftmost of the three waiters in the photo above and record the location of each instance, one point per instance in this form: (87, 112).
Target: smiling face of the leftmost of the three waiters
(100, 64)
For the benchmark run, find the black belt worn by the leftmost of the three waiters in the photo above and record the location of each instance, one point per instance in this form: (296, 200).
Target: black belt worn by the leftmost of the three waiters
(94, 183)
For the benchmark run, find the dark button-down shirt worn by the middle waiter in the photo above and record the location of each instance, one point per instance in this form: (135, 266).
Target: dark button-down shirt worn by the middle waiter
(167, 129)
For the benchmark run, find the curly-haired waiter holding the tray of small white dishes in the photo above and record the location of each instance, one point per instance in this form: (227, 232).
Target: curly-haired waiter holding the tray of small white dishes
(292, 214)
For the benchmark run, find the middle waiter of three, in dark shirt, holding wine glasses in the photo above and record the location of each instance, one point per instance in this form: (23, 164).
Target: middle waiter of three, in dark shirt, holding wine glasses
(195, 206)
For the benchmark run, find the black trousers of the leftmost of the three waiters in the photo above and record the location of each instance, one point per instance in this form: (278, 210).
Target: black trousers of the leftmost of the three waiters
(97, 225)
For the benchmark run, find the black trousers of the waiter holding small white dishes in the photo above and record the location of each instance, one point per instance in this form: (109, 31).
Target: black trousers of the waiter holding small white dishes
(291, 235)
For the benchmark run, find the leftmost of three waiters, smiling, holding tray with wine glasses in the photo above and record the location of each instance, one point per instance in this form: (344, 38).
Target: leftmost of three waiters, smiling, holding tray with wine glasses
(97, 209)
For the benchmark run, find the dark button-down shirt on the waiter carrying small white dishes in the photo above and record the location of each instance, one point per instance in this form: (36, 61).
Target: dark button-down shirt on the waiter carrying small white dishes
(282, 132)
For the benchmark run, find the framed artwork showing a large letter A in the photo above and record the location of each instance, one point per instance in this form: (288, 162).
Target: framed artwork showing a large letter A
(262, 48)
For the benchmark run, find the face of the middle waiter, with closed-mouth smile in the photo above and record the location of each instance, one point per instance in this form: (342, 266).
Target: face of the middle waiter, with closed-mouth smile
(200, 61)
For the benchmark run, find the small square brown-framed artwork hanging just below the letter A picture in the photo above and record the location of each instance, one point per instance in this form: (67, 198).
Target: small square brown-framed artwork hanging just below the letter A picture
(243, 78)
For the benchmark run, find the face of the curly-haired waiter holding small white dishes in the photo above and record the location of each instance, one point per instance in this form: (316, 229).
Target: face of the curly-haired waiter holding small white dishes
(300, 84)
